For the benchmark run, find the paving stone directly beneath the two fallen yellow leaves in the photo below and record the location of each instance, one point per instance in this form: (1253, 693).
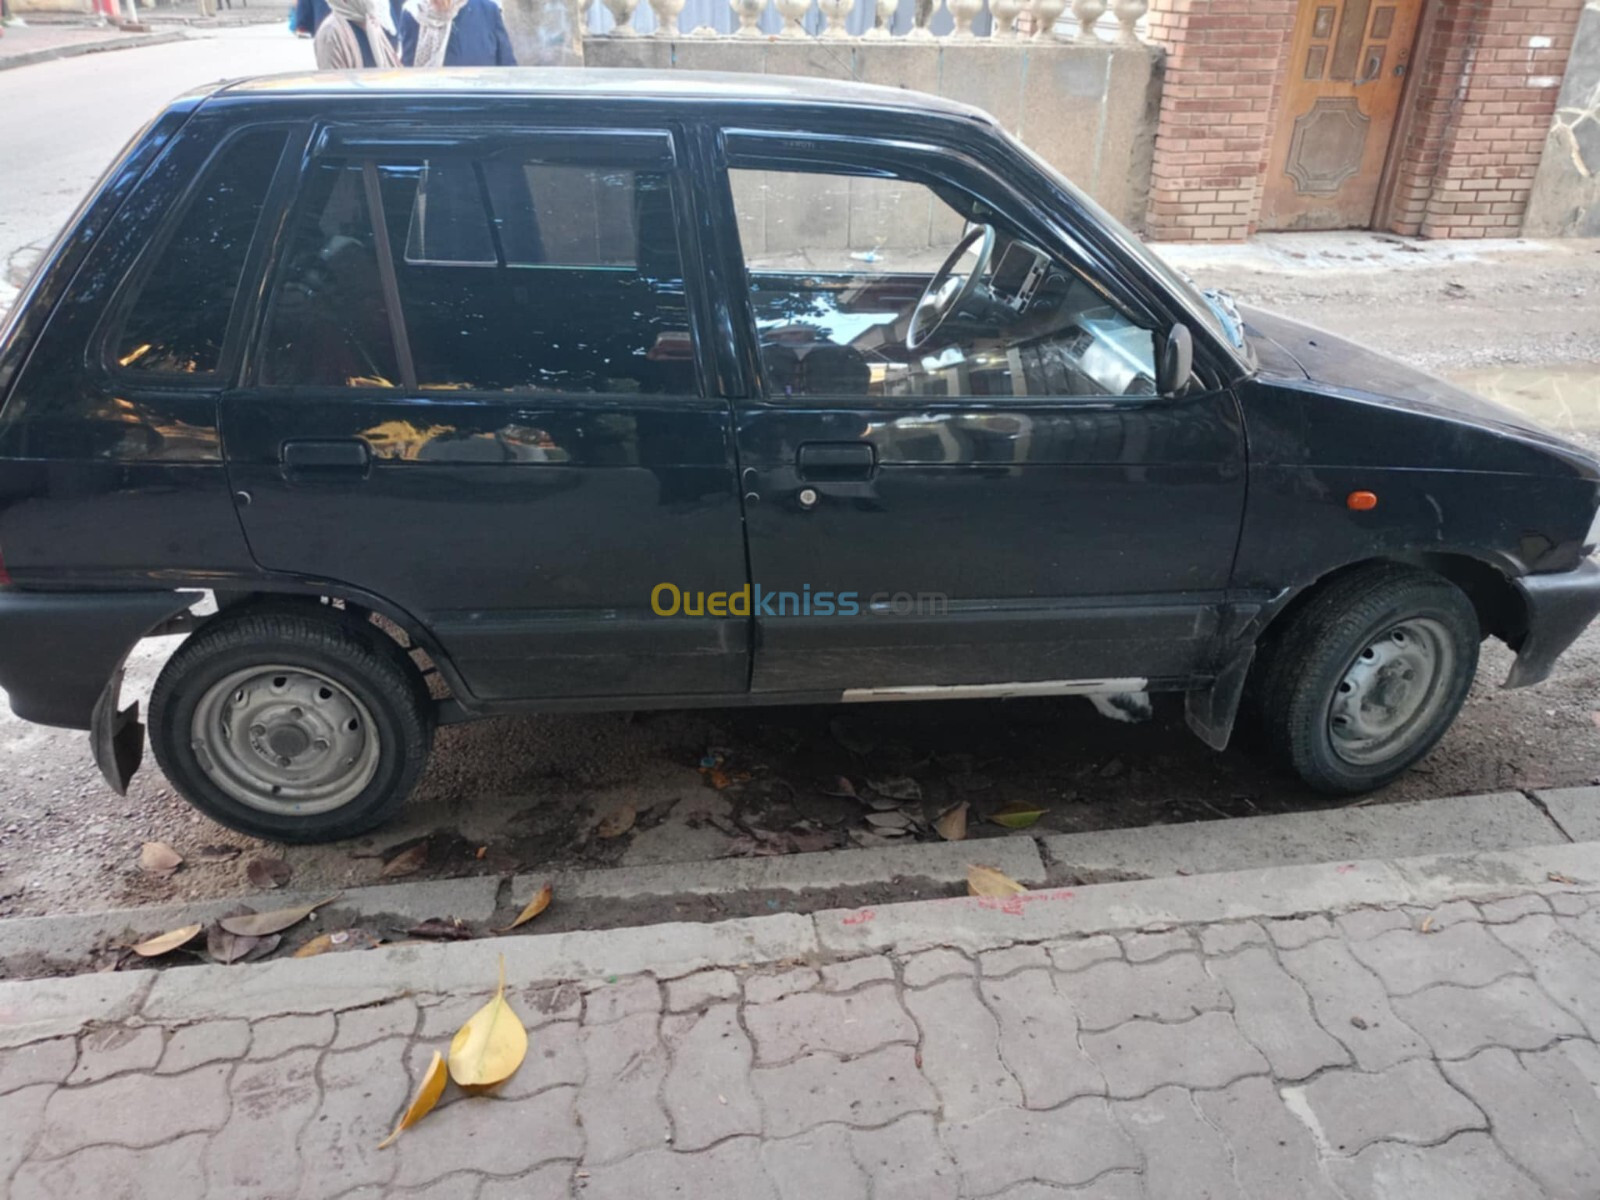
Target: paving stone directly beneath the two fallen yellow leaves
(490, 1135)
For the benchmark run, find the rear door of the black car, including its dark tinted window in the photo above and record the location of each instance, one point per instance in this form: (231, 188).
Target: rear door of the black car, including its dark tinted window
(476, 393)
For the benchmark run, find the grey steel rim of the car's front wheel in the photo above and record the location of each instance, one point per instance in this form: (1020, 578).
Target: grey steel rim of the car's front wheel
(1391, 692)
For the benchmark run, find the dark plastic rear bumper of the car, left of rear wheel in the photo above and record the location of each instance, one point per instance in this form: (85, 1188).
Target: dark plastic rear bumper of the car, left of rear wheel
(58, 650)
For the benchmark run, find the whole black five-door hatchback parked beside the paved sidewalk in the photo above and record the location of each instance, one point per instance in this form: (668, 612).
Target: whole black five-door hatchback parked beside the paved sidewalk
(481, 393)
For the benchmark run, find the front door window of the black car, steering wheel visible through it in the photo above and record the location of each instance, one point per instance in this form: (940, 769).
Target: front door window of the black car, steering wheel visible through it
(842, 274)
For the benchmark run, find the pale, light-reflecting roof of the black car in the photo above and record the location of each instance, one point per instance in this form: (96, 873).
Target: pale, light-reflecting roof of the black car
(714, 87)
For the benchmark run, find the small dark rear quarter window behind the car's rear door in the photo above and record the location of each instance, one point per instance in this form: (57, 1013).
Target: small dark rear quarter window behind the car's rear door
(178, 318)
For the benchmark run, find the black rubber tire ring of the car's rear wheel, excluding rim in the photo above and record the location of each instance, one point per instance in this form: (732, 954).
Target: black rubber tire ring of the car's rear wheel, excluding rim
(343, 649)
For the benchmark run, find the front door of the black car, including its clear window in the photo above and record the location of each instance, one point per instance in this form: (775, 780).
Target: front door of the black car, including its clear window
(1009, 510)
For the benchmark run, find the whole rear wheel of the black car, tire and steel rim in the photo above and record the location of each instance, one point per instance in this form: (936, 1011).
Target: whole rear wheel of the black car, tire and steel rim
(292, 727)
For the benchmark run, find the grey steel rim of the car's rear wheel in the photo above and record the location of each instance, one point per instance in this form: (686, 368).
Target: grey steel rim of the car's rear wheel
(286, 740)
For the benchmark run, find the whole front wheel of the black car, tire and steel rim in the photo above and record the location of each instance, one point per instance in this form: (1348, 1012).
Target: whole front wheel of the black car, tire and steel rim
(1314, 658)
